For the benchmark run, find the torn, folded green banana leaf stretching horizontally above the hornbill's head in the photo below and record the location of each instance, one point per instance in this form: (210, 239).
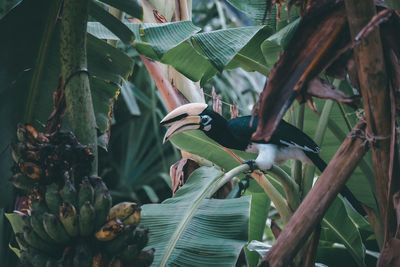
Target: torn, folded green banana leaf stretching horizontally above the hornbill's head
(198, 56)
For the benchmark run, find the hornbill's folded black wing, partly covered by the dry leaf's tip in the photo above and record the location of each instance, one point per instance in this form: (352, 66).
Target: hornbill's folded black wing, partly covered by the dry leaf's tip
(285, 134)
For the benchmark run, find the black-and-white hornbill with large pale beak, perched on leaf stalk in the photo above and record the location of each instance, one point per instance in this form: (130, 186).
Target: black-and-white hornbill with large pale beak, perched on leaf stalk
(287, 142)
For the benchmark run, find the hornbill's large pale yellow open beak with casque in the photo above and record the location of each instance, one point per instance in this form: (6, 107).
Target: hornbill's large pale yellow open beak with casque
(183, 118)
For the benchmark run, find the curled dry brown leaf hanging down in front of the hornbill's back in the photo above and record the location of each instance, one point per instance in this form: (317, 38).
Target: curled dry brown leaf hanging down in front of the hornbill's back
(321, 33)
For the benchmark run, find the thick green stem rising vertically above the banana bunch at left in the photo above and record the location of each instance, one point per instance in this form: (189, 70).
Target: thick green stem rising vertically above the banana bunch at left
(76, 80)
